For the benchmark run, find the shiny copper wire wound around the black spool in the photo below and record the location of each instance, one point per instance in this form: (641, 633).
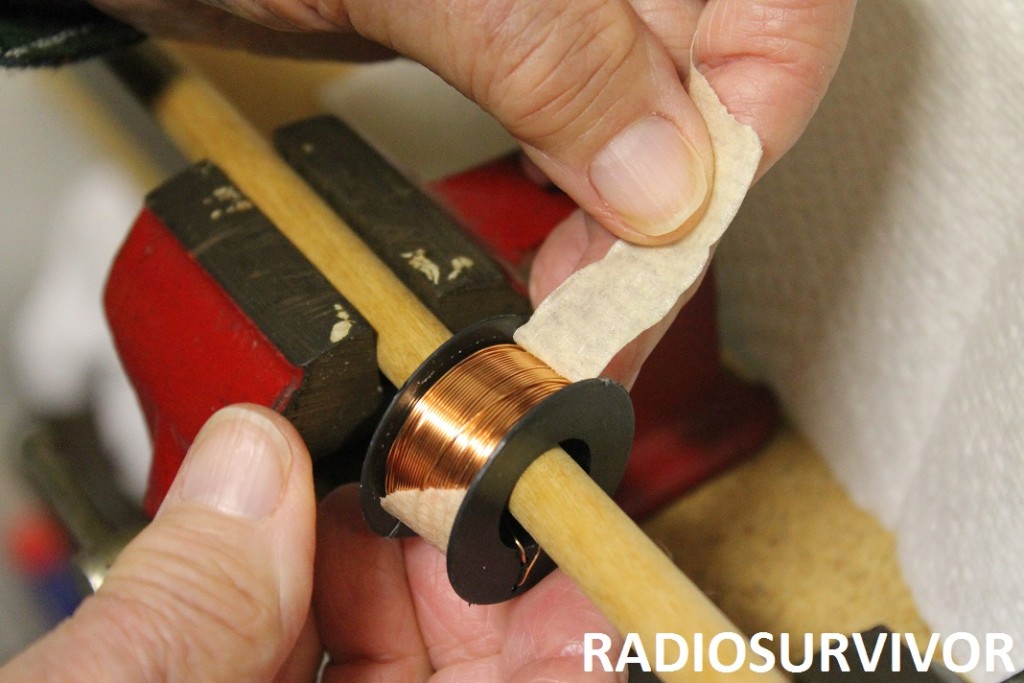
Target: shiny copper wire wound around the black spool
(459, 422)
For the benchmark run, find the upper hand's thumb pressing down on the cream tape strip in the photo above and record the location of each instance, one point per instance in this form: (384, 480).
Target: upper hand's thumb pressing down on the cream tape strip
(583, 84)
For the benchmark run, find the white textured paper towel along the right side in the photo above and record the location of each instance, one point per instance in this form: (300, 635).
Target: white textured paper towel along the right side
(875, 279)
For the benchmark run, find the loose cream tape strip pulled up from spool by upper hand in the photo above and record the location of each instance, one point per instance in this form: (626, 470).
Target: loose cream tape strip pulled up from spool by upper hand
(603, 308)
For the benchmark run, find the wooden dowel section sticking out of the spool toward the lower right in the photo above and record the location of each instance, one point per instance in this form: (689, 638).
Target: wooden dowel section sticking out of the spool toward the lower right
(618, 567)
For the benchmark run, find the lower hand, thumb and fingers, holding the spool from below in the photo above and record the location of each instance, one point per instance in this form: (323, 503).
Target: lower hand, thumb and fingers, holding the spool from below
(219, 588)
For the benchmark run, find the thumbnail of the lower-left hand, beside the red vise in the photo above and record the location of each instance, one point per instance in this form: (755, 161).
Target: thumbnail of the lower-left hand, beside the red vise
(239, 465)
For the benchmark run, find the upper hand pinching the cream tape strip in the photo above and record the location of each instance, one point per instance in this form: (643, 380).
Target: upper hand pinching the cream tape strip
(593, 90)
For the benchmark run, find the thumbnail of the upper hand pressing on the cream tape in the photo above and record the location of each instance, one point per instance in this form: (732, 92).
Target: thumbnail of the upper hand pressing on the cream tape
(652, 177)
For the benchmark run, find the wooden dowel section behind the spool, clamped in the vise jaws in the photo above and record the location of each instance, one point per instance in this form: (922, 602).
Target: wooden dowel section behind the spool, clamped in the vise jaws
(207, 126)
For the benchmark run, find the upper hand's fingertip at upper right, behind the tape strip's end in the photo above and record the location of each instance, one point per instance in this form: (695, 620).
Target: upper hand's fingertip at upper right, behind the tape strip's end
(771, 62)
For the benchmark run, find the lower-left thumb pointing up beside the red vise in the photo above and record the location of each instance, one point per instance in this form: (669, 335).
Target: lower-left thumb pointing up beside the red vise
(218, 588)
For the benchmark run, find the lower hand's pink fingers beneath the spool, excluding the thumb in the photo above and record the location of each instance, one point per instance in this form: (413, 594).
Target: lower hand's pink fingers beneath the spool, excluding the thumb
(419, 626)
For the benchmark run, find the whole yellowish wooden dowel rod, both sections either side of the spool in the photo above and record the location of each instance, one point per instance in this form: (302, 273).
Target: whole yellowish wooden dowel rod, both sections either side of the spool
(619, 568)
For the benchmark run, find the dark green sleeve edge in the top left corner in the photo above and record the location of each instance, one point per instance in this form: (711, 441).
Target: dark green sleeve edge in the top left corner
(49, 34)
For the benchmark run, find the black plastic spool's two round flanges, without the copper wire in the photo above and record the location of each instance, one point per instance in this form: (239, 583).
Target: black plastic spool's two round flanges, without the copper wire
(491, 559)
